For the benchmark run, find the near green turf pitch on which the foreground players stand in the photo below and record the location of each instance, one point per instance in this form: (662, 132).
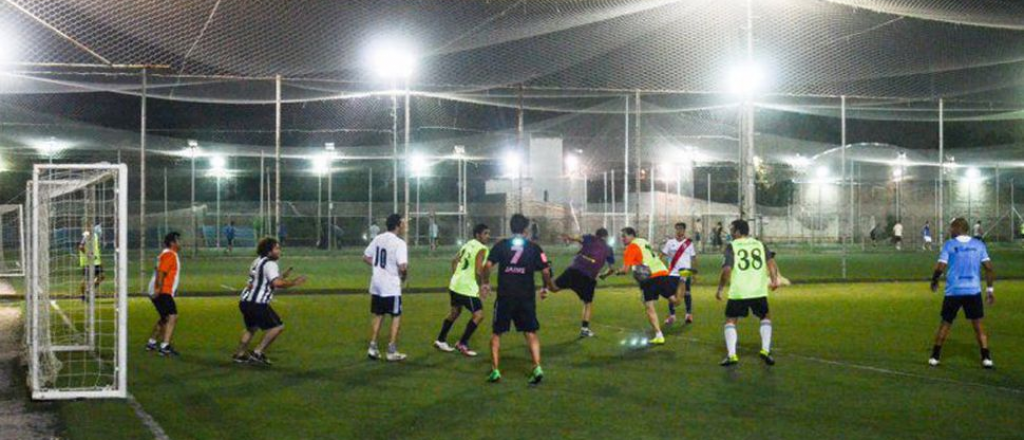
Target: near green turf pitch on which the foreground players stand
(851, 365)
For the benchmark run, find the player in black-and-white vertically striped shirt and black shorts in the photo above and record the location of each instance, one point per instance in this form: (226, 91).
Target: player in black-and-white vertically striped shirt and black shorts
(265, 280)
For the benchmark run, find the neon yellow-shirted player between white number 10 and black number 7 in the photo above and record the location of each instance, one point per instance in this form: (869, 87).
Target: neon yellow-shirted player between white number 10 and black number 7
(464, 290)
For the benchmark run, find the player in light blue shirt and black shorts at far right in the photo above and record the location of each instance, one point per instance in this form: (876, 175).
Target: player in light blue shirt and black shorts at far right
(962, 259)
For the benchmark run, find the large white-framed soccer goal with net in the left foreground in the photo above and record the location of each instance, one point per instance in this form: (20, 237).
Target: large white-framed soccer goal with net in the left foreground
(77, 296)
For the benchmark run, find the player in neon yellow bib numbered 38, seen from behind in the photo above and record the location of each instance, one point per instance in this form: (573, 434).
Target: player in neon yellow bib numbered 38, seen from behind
(751, 272)
